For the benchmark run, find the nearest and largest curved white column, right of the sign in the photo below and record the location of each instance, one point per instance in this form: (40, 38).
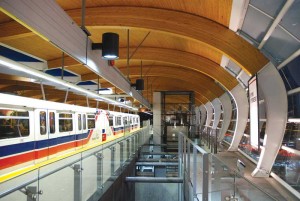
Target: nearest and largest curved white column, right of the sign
(274, 92)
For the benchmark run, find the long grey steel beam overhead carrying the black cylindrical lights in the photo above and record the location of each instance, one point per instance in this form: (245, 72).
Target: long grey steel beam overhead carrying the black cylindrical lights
(61, 30)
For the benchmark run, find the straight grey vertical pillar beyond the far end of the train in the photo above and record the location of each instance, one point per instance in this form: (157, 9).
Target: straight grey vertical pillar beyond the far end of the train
(157, 118)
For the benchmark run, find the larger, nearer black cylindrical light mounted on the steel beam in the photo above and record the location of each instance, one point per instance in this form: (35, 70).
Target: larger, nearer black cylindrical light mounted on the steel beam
(110, 46)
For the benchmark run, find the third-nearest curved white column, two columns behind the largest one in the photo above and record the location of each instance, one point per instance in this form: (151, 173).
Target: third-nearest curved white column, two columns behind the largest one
(227, 112)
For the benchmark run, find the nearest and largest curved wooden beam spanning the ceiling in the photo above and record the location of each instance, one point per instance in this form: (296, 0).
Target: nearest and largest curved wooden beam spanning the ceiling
(186, 25)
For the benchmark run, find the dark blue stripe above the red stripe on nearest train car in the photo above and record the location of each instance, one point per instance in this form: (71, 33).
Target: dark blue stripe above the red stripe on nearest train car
(28, 146)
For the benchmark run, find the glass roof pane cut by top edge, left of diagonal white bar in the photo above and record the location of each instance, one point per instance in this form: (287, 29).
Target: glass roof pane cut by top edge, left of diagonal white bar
(271, 7)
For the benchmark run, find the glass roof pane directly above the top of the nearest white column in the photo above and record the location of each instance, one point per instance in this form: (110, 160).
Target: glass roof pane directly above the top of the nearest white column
(281, 45)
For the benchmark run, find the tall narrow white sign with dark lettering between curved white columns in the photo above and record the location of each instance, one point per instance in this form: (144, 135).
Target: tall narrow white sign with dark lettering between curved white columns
(254, 117)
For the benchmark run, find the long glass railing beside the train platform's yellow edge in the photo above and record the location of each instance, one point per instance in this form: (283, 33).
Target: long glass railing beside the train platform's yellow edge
(83, 176)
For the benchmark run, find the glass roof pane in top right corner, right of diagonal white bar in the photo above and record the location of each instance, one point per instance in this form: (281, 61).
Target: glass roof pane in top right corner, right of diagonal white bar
(291, 19)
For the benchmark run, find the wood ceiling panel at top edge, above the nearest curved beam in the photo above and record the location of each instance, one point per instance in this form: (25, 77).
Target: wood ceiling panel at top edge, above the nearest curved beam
(215, 10)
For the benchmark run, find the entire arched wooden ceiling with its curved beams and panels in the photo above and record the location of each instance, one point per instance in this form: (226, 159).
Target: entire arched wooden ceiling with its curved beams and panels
(186, 42)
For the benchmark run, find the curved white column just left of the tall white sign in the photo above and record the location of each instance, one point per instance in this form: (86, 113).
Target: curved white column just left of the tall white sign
(240, 97)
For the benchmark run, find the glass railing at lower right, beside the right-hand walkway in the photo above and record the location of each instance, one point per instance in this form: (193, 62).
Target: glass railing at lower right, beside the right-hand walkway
(207, 178)
